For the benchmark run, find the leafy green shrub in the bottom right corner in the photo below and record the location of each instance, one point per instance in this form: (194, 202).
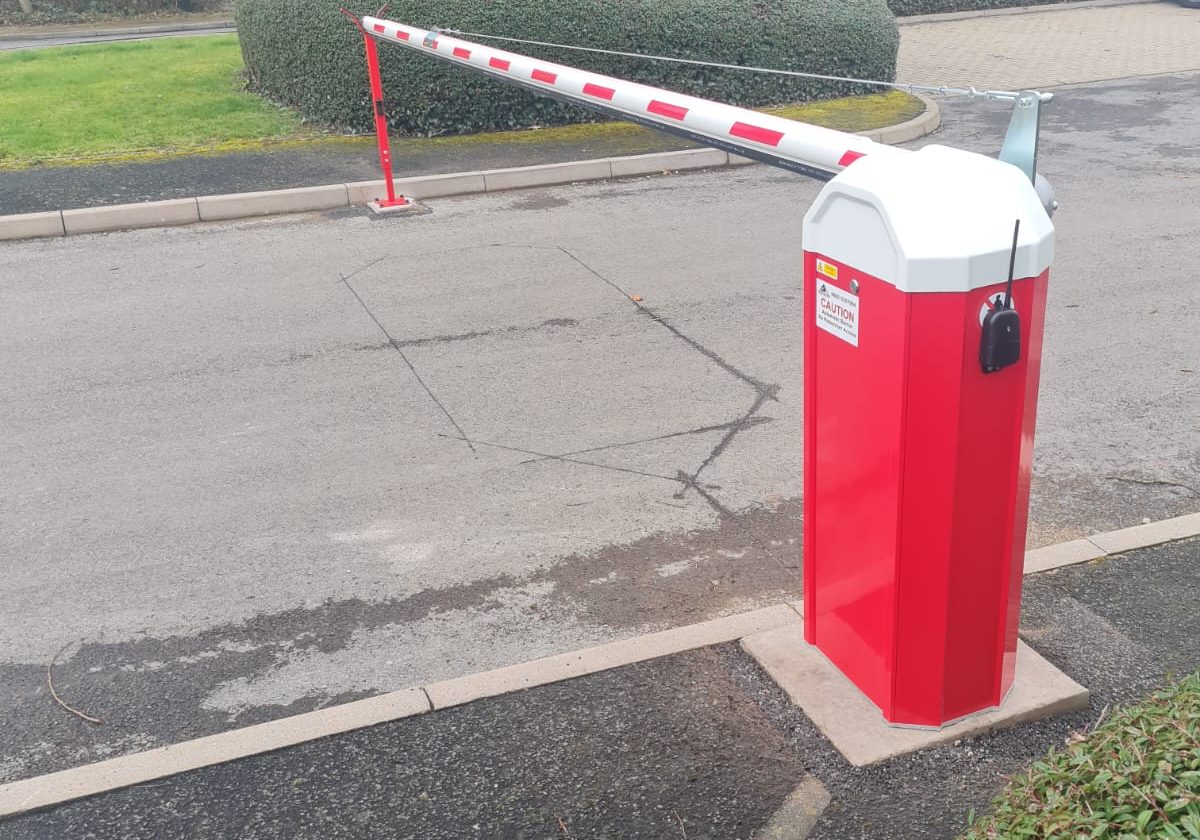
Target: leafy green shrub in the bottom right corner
(1137, 776)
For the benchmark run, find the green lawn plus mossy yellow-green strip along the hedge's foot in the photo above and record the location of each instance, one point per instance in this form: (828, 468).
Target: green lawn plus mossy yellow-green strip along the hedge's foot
(143, 100)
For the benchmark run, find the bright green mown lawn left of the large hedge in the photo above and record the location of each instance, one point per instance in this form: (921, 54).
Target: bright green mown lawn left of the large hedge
(131, 99)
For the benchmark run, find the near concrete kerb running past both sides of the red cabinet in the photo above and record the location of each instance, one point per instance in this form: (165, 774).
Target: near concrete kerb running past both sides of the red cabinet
(56, 789)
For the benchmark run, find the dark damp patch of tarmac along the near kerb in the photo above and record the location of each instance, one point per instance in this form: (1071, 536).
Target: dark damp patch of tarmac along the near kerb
(154, 692)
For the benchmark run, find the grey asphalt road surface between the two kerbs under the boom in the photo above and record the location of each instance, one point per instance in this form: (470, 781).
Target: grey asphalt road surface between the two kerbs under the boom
(256, 469)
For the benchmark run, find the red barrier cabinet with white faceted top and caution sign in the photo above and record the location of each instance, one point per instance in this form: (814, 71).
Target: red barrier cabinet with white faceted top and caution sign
(916, 461)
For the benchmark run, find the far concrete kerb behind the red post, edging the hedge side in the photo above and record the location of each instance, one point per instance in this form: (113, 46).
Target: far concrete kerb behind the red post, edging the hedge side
(308, 200)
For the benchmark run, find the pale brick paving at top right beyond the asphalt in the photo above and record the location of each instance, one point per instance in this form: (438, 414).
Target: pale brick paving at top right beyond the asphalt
(1053, 49)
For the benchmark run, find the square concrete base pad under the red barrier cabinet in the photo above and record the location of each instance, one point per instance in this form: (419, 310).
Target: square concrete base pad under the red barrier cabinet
(856, 727)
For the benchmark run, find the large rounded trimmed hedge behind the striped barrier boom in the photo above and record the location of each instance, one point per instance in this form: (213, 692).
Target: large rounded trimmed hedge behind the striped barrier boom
(304, 53)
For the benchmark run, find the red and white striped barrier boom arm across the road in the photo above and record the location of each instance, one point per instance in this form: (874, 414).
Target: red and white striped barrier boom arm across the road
(797, 147)
